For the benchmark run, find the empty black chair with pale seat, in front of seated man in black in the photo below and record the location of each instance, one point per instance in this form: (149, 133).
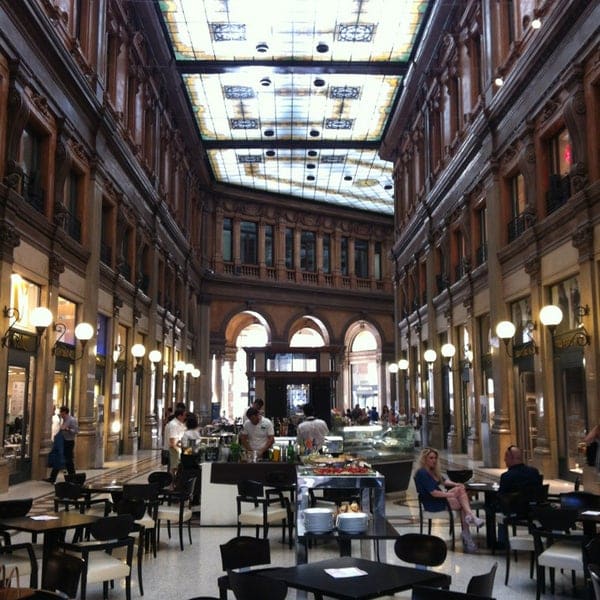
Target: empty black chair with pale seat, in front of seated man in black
(557, 545)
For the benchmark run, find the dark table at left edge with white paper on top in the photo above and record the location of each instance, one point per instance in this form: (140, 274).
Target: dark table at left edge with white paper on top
(51, 525)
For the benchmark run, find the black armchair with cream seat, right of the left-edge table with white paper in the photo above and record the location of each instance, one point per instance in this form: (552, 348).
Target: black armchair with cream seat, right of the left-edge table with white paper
(101, 563)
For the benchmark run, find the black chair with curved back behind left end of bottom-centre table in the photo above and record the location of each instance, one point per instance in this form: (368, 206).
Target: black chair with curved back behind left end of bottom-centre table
(243, 552)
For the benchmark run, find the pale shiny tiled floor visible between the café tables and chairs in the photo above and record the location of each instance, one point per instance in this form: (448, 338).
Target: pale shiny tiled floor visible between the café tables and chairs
(193, 572)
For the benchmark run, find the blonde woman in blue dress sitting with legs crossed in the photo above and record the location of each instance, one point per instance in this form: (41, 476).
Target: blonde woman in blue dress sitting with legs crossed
(438, 492)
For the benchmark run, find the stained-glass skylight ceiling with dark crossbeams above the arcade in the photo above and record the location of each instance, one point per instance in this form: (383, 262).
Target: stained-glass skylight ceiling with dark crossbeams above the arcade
(293, 96)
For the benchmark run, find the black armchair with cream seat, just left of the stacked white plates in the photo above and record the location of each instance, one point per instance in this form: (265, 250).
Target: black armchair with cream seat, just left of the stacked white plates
(266, 507)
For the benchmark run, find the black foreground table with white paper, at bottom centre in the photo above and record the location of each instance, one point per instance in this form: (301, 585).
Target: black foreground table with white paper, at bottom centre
(379, 579)
